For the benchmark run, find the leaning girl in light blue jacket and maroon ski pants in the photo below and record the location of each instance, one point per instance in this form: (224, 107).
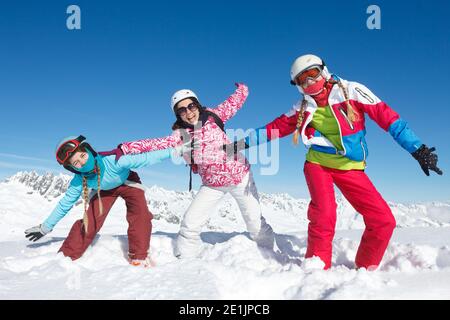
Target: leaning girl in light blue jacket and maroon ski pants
(110, 180)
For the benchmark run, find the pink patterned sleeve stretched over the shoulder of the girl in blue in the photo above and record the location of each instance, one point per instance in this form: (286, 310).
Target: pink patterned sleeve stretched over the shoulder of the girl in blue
(147, 145)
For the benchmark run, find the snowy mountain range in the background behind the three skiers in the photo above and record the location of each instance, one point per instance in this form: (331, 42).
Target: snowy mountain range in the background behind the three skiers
(170, 205)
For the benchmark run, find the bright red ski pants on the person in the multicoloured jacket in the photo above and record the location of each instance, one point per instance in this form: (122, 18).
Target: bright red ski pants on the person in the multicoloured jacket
(362, 195)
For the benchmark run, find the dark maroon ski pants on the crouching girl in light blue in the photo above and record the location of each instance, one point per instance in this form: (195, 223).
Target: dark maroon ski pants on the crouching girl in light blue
(138, 217)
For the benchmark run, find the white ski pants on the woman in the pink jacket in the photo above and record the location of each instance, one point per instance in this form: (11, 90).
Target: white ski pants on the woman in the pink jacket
(246, 196)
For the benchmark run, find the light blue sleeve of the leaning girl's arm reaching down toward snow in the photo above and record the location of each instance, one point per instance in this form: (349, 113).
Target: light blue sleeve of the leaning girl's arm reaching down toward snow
(71, 196)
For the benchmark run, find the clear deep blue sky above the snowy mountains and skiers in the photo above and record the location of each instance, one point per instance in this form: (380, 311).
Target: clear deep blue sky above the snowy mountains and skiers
(112, 80)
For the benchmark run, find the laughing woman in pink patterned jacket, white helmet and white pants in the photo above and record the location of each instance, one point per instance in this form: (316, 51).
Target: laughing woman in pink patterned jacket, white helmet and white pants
(220, 174)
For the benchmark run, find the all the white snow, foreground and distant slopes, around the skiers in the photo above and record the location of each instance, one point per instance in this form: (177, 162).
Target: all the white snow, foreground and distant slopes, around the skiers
(230, 266)
